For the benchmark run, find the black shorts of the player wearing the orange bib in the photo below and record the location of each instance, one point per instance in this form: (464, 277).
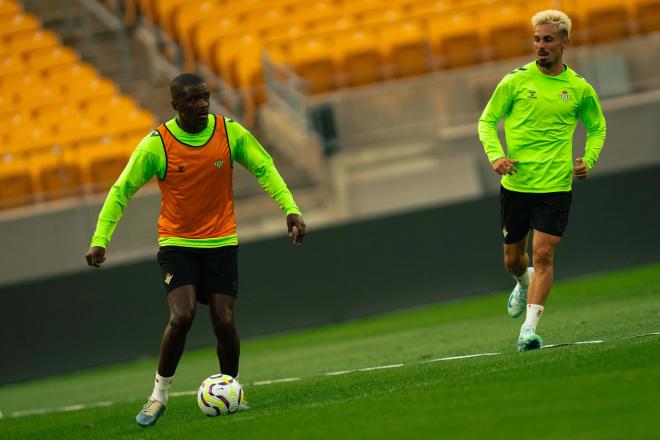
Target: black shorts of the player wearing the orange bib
(212, 270)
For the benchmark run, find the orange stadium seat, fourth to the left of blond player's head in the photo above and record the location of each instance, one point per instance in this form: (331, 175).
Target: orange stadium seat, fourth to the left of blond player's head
(361, 57)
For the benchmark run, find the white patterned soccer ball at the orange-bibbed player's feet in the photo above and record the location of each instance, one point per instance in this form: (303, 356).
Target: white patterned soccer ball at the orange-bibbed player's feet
(219, 395)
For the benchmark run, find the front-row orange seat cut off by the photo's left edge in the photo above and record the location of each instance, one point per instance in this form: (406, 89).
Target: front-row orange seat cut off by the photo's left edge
(16, 187)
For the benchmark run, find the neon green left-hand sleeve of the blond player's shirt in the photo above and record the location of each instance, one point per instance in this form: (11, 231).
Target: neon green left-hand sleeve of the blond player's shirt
(498, 106)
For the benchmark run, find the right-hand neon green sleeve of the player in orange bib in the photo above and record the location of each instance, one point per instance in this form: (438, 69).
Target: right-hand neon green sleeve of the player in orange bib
(248, 152)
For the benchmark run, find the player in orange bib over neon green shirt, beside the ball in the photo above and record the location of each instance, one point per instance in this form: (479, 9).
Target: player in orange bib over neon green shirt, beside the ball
(193, 155)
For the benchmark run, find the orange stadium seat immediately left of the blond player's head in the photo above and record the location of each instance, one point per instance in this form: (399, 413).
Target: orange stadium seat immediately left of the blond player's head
(510, 35)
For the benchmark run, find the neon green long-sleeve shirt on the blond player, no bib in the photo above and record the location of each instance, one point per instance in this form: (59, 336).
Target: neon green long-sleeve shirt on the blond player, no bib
(540, 115)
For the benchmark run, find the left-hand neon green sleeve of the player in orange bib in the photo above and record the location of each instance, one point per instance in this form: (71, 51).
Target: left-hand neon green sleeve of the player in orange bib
(142, 166)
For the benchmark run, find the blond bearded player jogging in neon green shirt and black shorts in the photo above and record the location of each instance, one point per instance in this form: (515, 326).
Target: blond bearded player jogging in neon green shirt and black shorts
(541, 103)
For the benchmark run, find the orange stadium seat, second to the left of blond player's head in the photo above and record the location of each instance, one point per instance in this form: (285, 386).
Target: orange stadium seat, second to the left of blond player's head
(455, 40)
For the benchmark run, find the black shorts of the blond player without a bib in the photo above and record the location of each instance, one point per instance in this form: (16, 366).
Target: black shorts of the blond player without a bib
(545, 212)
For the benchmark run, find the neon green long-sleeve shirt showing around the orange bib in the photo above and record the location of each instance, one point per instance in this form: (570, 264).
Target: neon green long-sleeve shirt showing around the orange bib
(149, 160)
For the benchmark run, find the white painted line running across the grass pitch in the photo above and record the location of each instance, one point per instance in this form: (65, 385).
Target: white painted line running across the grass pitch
(293, 379)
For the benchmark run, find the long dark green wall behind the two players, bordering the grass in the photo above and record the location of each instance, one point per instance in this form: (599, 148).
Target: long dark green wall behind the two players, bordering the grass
(114, 314)
